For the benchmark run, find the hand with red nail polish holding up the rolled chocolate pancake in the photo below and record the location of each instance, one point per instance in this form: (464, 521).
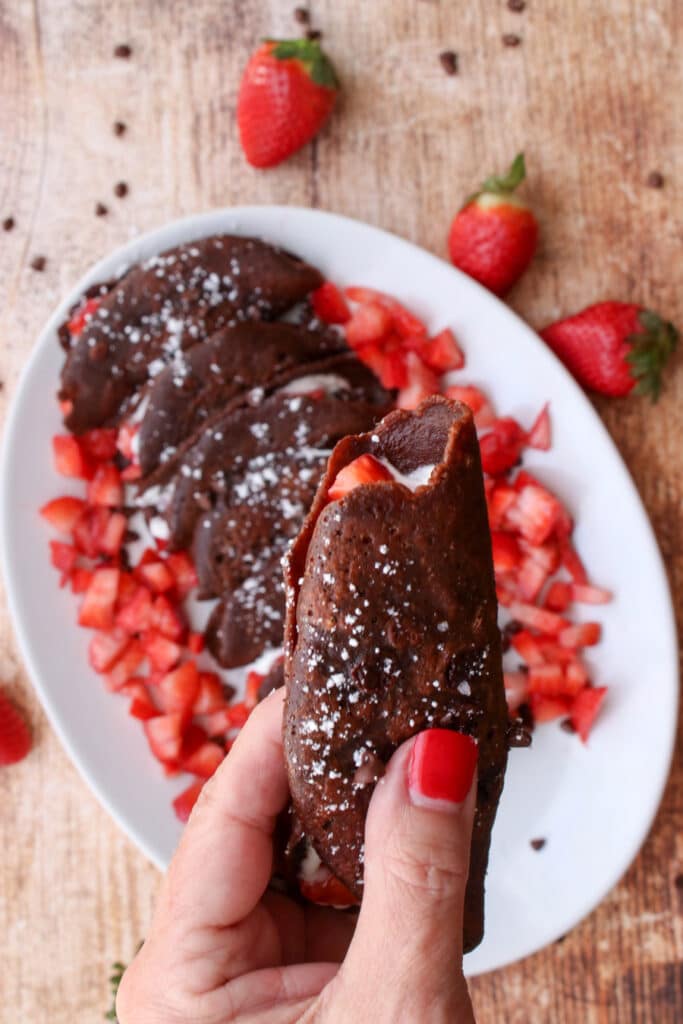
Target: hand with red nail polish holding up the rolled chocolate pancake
(224, 949)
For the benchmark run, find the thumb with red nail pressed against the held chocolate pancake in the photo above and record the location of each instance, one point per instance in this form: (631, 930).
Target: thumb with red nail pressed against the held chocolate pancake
(418, 834)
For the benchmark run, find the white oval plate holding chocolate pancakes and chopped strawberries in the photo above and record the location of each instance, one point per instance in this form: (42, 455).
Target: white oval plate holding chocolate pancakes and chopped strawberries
(595, 804)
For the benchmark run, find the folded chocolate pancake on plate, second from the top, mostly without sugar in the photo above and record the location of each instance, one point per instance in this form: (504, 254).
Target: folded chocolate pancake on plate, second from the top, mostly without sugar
(184, 399)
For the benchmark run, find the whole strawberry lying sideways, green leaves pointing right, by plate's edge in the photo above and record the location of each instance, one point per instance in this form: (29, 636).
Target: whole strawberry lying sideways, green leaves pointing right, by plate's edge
(615, 348)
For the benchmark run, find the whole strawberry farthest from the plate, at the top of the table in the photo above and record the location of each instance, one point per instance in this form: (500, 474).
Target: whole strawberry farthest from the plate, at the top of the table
(288, 91)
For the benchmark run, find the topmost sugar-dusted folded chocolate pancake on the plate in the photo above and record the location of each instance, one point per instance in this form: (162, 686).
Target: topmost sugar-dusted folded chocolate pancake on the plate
(164, 307)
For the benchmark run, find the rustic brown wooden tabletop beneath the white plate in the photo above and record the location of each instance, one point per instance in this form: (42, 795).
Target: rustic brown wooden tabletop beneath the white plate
(592, 95)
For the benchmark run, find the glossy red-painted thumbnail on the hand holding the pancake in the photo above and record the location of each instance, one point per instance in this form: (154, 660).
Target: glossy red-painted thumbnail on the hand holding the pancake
(442, 769)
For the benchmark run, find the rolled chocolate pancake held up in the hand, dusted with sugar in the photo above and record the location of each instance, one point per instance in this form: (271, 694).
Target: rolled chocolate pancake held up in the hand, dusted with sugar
(392, 629)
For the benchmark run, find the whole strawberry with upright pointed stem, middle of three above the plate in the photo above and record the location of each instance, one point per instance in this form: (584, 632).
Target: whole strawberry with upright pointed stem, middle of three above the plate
(494, 237)
